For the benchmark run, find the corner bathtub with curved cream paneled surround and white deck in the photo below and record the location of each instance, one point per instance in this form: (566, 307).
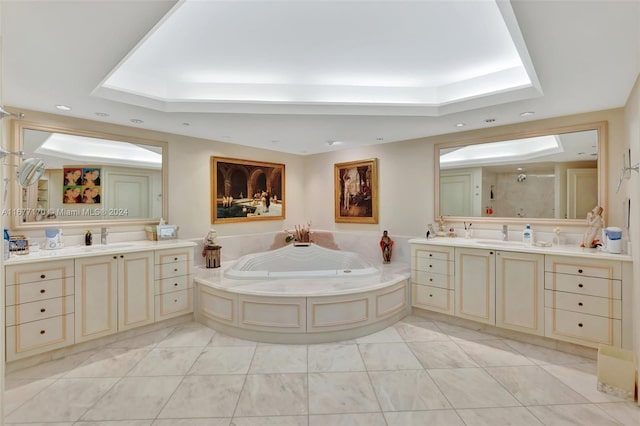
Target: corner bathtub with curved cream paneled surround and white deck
(302, 294)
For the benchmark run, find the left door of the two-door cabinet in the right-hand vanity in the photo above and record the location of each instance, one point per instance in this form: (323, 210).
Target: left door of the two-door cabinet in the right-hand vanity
(475, 285)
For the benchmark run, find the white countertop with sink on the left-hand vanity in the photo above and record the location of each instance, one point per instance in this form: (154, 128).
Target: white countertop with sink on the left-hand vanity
(75, 252)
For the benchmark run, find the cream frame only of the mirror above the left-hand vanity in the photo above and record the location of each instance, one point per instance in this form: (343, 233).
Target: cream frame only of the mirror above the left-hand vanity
(17, 139)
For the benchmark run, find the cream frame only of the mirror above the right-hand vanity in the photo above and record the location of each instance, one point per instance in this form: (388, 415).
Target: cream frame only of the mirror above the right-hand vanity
(600, 126)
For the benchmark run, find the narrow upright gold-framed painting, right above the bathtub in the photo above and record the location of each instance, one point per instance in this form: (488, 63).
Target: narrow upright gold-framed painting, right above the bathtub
(356, 191)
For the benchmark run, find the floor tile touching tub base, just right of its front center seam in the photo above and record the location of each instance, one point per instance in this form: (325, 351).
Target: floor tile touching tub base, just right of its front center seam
(335, 357)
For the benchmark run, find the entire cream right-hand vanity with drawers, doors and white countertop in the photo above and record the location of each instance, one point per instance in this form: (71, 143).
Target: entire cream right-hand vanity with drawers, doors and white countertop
(568, 293)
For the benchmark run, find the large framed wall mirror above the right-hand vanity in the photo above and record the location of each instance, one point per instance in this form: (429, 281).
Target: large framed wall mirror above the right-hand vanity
(544, 176)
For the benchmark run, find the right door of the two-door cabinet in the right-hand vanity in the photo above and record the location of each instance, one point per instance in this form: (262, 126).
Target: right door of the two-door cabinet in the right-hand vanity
(520, 291)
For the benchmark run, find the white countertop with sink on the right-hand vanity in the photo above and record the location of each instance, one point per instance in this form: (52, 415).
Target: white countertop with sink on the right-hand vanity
(484, 243)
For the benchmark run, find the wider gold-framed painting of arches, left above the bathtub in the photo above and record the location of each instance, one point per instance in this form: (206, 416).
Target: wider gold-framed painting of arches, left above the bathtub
(245, 190)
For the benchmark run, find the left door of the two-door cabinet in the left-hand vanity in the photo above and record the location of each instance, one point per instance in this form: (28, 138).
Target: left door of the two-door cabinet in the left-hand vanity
(96, 297)
